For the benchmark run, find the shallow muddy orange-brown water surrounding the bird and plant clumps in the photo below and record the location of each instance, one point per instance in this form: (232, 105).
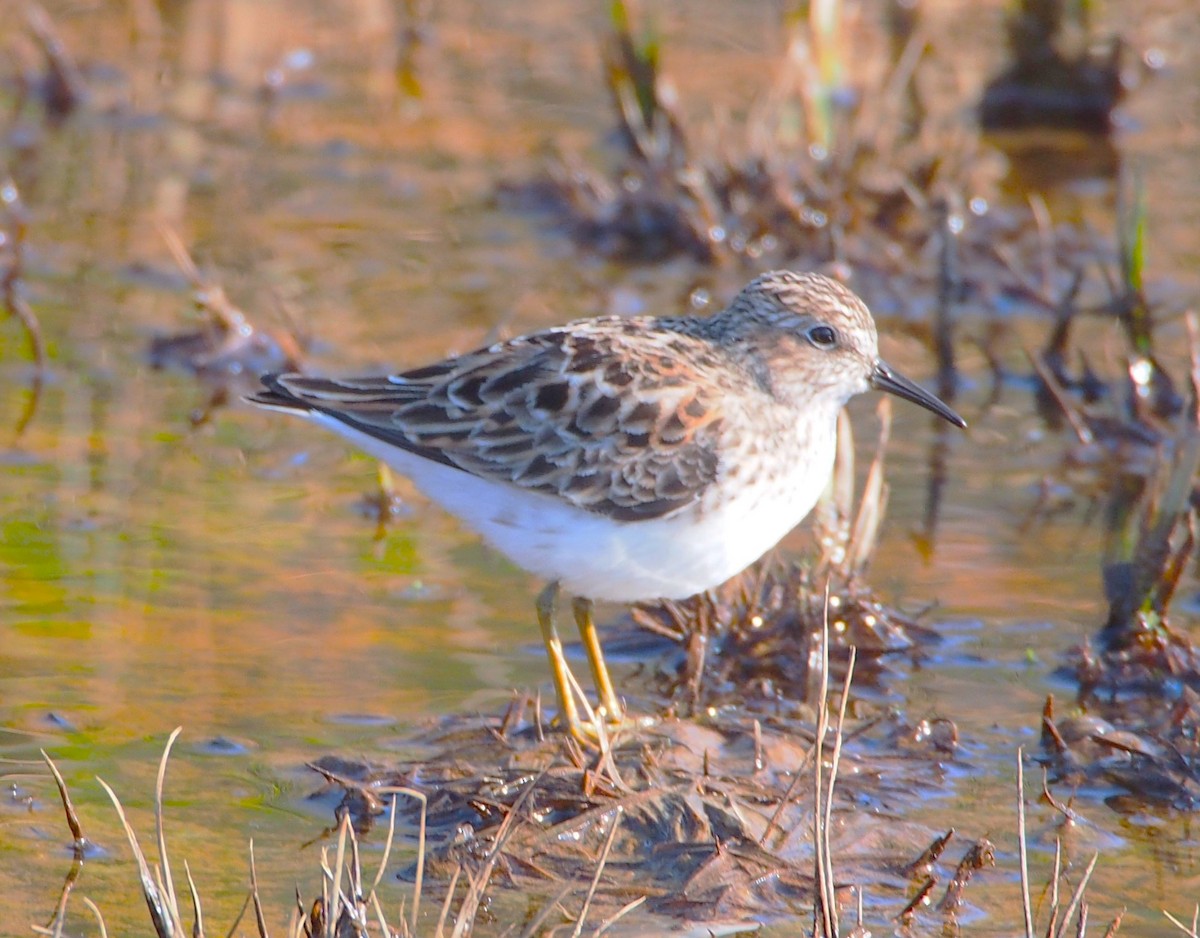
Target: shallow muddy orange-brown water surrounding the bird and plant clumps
(224, 578)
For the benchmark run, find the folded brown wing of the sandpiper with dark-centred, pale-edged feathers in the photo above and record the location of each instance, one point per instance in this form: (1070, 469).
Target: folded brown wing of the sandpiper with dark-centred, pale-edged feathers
(568, 412)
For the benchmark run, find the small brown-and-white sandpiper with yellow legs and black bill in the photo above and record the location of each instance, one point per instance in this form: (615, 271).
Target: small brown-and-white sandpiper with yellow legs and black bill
(626, 459)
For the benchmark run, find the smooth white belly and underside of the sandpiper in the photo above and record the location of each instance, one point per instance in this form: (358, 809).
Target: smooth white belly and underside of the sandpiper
(622, 562)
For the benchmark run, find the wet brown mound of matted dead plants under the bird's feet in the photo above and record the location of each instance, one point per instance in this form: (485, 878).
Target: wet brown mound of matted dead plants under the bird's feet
(694, 814)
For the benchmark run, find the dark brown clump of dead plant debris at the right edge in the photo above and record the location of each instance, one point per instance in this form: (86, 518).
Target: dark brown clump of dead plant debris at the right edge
(1141, 680)
